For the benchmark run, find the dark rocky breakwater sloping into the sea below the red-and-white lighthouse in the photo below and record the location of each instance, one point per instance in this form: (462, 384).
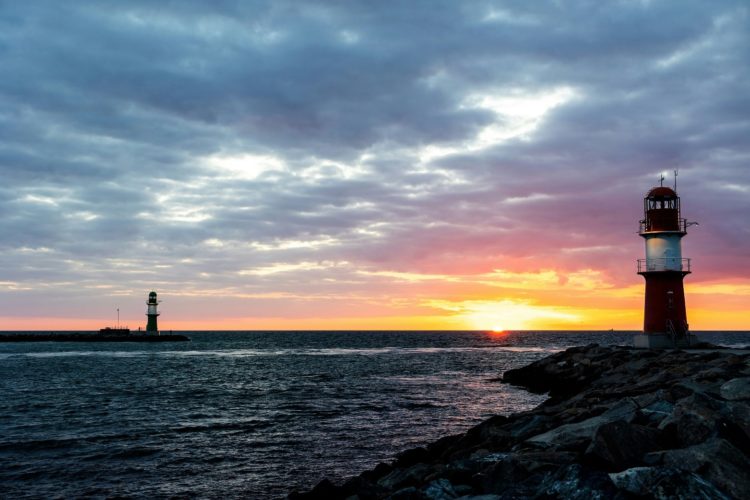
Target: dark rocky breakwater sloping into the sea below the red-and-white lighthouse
(619, 423)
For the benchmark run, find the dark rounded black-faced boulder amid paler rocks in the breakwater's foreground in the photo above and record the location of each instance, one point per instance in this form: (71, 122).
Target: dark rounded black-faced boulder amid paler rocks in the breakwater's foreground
(618, 445)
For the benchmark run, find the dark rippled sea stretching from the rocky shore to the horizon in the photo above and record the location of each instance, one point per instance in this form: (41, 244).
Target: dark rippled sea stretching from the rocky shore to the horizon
(251, 414)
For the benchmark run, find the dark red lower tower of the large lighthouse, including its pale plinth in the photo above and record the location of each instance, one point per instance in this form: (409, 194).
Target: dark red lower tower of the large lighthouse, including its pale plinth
(665, 318)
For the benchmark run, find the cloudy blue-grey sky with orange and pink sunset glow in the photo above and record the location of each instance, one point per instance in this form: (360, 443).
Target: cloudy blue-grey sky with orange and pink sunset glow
(367, 165)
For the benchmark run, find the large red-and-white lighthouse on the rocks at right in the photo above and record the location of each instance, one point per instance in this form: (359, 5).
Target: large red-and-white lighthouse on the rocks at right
(664, 317)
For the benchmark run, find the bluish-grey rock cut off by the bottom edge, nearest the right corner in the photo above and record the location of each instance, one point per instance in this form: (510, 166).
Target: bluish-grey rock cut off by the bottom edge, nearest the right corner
(664, 483)
